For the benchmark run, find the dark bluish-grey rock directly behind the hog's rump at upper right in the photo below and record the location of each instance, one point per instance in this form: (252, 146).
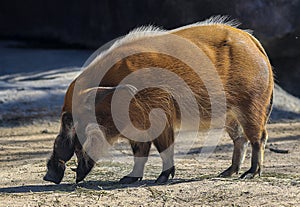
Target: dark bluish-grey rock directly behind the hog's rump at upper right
(277, 24)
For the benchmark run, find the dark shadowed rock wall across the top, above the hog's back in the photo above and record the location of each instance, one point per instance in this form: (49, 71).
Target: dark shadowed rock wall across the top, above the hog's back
(92, 23)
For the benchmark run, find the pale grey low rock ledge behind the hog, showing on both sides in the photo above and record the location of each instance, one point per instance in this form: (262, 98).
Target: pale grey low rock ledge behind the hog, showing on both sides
(35, 103)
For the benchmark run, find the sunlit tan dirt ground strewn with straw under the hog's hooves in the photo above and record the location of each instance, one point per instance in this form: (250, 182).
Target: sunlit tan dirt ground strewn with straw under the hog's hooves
(24, 151)
